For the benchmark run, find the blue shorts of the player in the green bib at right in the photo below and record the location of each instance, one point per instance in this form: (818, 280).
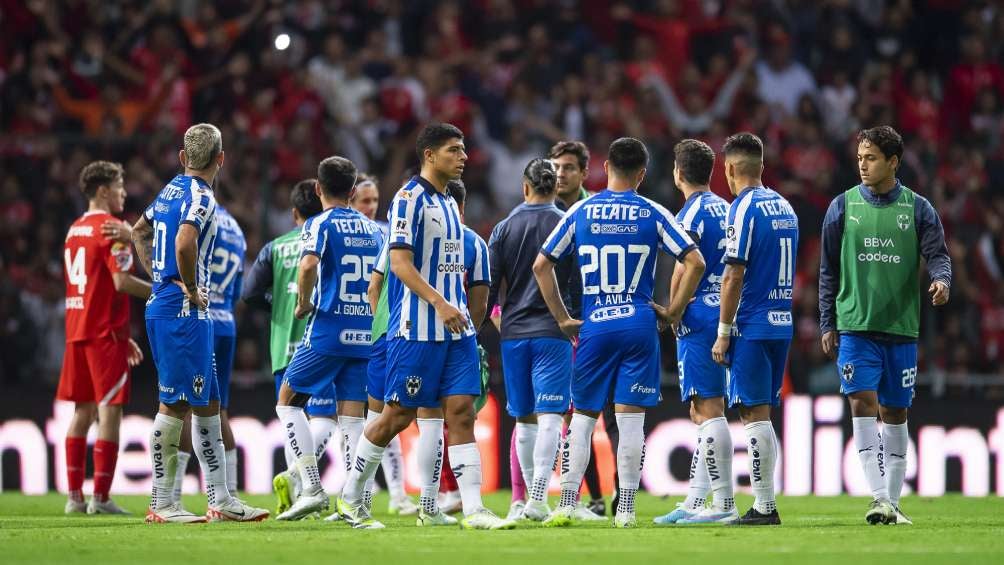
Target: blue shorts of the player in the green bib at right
(870, 365)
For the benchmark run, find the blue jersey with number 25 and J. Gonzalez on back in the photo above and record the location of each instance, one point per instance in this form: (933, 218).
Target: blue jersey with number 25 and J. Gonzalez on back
(347, 244)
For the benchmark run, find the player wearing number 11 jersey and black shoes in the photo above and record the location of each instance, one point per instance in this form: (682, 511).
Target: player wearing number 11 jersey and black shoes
(755, 330)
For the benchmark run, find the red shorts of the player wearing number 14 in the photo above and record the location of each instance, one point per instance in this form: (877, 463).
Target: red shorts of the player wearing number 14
(96, 371)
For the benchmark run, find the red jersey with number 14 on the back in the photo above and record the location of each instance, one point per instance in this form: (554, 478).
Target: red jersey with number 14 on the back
(94, 308)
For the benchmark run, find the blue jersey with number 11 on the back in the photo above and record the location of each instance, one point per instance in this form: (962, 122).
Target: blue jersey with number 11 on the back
(764, 235)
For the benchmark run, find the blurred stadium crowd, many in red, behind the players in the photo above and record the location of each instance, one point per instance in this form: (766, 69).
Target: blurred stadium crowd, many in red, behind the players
(292, 83)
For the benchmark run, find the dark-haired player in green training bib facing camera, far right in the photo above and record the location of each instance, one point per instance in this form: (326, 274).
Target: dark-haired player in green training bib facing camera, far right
(874, 237)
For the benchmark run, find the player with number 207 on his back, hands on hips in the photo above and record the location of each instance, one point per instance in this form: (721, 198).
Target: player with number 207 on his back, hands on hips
(616, 236)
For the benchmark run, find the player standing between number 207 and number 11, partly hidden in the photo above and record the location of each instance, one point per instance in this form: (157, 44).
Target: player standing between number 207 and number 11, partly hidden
(702, 382)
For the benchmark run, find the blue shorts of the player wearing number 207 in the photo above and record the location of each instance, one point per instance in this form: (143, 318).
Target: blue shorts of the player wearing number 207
(623, 365)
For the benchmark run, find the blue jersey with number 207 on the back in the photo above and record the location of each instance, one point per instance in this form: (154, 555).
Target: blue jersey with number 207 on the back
(617, 236)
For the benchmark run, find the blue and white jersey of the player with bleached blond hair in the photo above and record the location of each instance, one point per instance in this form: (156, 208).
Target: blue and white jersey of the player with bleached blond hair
(185, 200)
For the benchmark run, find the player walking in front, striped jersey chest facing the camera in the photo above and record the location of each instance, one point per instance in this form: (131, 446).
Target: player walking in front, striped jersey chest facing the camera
(432, 352)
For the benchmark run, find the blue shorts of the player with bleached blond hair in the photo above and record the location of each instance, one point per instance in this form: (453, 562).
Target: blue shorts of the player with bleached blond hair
(183, 354)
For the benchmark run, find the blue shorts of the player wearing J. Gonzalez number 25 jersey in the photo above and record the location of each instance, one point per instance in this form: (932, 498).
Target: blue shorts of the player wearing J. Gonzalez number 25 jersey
(327, 379)
